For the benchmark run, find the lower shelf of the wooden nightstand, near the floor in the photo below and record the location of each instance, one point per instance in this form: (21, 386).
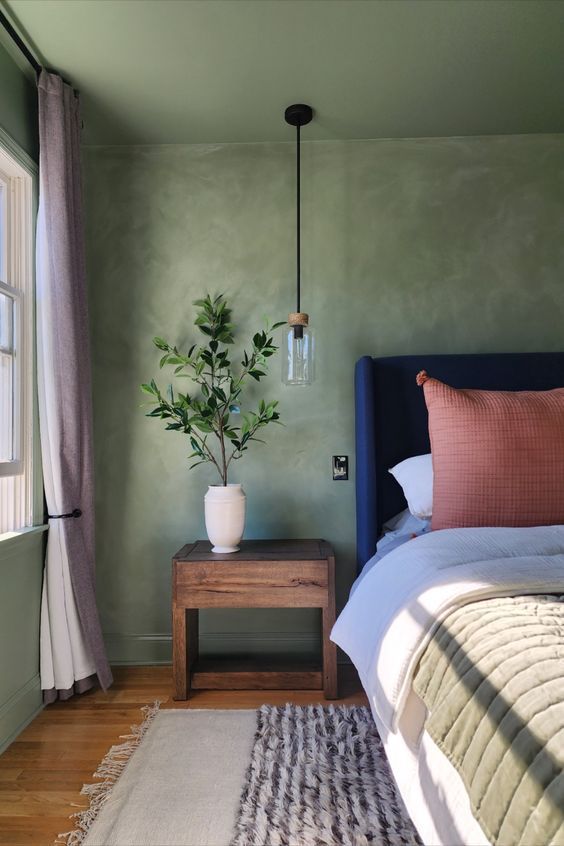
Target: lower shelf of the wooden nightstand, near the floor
(264, 673)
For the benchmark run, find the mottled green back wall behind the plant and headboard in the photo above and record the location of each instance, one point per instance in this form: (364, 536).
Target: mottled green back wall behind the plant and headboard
(412, 246)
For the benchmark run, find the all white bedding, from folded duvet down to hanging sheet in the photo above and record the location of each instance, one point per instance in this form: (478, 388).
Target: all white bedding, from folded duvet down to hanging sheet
(389, 620)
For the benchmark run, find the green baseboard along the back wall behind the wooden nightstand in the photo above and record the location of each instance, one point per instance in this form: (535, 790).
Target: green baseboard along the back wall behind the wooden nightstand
(156, 648)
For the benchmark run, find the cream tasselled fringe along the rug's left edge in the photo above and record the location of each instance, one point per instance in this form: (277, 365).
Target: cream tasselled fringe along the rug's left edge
(110, 769)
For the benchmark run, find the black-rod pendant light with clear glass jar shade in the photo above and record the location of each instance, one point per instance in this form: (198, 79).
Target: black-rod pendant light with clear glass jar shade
(298, 346)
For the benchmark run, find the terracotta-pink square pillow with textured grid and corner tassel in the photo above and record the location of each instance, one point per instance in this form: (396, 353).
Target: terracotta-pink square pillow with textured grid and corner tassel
(498, 456)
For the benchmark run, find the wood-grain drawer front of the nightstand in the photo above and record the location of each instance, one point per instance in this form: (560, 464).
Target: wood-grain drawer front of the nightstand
(256, 584)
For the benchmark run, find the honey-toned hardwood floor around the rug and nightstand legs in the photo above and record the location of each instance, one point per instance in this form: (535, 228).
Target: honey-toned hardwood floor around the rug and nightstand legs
(42, 772)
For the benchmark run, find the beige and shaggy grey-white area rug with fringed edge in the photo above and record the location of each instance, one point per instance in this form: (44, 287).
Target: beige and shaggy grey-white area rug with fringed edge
(279, 776)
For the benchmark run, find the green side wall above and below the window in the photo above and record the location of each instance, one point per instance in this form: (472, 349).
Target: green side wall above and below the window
(21, 558)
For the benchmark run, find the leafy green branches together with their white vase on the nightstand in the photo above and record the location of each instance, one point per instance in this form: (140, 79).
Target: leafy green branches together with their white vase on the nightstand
(205, 411)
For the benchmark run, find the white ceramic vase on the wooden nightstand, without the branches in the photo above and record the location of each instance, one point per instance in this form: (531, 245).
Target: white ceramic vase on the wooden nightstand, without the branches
(225, 508)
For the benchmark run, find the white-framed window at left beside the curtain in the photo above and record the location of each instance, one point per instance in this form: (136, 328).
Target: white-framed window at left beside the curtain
(16, 345)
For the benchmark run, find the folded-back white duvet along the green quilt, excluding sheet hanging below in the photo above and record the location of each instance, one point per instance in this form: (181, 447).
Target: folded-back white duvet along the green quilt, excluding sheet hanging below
(390, 618)
